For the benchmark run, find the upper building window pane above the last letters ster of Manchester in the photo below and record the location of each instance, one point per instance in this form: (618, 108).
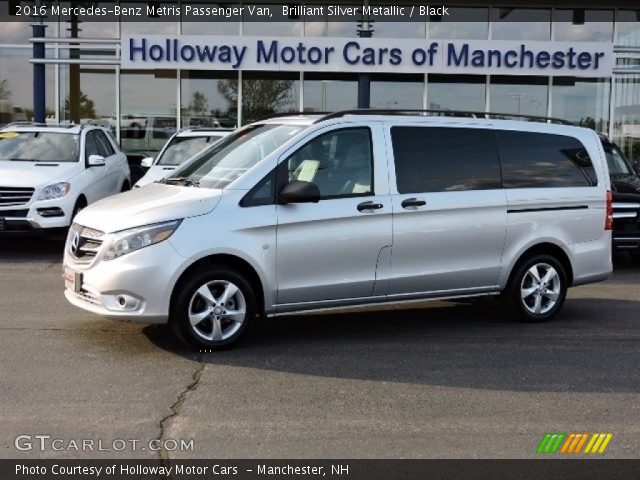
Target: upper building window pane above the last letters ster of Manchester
(582, 25)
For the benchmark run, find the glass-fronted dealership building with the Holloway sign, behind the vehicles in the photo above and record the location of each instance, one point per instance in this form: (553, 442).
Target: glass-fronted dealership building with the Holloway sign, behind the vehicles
(146, 77)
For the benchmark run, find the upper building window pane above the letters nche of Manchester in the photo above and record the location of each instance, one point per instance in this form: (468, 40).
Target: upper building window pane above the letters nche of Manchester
(520, 23)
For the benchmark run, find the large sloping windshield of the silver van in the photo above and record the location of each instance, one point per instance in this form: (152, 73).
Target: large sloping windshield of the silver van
(231, 157)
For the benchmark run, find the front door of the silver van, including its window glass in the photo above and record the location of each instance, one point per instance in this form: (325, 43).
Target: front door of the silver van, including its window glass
(331, 250)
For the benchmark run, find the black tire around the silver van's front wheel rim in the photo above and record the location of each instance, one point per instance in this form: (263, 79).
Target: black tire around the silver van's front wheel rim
(188, 300)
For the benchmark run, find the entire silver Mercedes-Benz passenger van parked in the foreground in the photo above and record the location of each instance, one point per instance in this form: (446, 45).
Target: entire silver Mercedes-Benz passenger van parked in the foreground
(307, 212)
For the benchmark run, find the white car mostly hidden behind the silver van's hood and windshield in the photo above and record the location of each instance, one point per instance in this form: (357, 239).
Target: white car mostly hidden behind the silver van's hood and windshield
(181, 147)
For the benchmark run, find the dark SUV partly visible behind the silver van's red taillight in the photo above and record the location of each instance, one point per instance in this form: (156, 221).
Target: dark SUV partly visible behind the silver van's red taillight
(625, 184)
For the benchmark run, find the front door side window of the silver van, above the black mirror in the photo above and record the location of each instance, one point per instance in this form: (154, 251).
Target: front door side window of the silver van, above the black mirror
(340, 163)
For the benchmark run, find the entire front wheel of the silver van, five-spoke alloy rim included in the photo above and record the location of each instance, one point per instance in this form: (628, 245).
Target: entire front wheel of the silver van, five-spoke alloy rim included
(213, 308)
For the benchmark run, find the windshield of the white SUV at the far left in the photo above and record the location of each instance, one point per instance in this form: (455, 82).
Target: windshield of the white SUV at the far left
(38, 147)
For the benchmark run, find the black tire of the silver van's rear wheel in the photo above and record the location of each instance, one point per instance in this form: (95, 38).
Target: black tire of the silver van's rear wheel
(524, 309)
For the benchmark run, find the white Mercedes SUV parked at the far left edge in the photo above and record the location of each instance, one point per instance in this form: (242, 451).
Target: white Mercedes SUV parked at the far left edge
(49, 173)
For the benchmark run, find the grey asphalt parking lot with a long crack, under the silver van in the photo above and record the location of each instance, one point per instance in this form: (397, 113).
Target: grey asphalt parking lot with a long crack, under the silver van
(434, 381)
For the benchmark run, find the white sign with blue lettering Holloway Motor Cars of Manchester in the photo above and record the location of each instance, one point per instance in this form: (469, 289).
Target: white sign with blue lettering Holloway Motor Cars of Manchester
(322, 54)
